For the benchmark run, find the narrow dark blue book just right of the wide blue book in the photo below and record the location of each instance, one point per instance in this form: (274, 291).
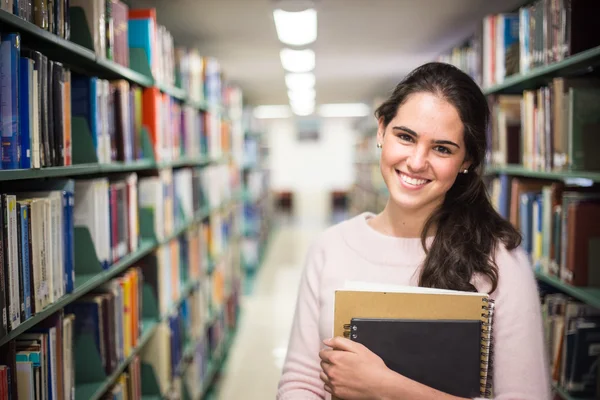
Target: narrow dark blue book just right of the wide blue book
(25, 111)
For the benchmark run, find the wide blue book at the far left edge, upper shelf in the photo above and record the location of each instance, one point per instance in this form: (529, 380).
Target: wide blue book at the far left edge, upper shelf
(10, 54)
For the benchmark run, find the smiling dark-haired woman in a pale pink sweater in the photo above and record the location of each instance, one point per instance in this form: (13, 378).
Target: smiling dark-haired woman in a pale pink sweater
(432, 132)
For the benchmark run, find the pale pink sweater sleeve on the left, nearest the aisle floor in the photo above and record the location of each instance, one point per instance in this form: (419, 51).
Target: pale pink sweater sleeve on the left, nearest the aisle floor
(300, 375)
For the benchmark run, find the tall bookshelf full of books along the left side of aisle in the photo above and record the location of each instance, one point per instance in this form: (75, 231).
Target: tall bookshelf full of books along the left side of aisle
(196, 216)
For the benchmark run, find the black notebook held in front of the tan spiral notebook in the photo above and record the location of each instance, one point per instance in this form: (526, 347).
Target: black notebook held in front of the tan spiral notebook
(442, 354)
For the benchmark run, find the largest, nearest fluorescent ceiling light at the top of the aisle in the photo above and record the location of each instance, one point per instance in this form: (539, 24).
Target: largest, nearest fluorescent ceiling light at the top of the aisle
(296, 28)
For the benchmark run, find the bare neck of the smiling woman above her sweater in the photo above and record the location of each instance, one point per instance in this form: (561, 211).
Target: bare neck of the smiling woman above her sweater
(394, 221)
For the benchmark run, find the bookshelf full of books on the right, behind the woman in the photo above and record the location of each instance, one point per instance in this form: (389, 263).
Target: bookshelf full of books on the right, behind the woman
(538, 168)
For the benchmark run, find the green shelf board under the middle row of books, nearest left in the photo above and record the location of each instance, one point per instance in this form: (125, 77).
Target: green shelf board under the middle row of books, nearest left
(83, 285)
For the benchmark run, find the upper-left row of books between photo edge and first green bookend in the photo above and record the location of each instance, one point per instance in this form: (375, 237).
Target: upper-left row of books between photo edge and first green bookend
(35, 100)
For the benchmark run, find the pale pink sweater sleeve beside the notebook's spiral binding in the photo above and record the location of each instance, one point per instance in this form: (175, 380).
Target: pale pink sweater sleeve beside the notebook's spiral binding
(520, 366)
